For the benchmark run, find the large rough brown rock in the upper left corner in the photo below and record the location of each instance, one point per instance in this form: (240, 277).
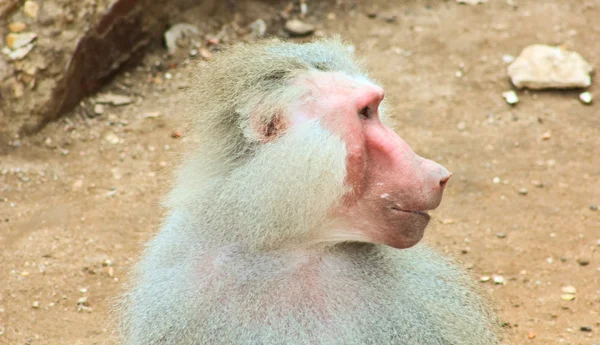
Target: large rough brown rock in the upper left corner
(77, 61)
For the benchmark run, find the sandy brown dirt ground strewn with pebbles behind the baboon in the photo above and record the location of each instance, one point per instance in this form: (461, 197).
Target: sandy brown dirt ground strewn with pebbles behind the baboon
(72, 197)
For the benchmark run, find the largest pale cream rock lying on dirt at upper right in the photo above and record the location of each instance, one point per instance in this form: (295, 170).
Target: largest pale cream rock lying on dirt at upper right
(548, 67)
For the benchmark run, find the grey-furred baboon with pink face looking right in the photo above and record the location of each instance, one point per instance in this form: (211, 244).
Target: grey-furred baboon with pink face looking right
(296, 216)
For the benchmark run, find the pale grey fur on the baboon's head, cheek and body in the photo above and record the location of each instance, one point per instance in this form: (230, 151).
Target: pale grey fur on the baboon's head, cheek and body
(216, 273)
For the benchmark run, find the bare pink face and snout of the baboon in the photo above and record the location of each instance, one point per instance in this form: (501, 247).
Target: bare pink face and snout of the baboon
(391, 186)
